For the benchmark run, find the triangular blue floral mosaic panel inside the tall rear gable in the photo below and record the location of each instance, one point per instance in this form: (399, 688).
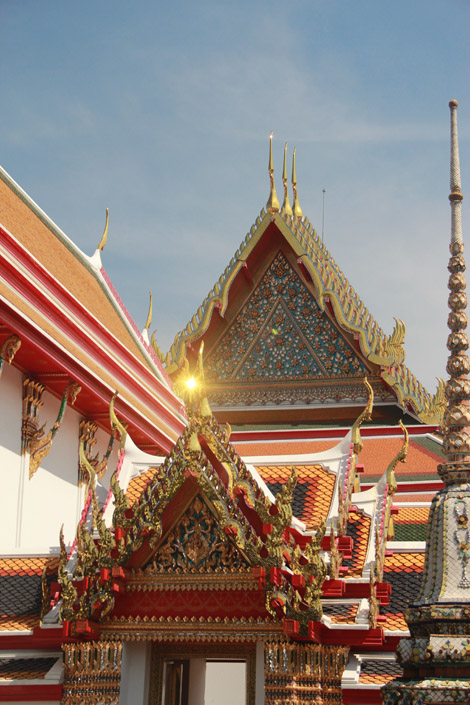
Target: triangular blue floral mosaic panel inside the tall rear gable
(282, 335)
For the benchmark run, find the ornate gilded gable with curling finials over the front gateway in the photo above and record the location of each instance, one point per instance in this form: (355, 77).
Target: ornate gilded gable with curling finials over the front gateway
(218, 530)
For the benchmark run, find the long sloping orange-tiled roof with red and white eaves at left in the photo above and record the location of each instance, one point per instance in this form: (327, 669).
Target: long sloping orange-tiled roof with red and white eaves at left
(72, 325)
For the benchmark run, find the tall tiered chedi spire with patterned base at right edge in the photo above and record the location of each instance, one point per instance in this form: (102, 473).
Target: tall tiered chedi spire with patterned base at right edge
(436, 657)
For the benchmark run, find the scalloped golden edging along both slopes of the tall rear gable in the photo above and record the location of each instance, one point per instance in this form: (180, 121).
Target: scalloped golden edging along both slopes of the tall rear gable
(329, 285)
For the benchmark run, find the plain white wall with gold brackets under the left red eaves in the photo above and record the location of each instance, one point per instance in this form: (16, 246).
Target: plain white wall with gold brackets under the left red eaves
(34, 509)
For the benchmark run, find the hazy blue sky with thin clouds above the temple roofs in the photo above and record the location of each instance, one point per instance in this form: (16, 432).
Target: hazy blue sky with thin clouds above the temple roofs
(162, 111)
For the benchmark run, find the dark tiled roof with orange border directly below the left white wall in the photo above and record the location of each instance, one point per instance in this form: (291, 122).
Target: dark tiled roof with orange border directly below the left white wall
(21, 590)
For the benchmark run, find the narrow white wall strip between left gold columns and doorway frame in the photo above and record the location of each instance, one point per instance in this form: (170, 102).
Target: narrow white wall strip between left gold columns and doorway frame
(134, 673)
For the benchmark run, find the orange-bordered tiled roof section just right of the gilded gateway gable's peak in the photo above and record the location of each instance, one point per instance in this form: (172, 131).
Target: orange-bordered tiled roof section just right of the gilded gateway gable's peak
(312, 494)
